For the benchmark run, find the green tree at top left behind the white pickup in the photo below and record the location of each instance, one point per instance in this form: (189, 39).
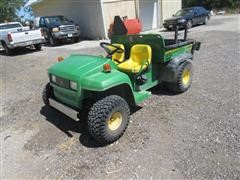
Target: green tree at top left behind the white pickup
(9, 9)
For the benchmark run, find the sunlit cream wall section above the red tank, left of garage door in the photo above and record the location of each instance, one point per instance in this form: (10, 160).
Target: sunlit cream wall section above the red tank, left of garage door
(122, 8)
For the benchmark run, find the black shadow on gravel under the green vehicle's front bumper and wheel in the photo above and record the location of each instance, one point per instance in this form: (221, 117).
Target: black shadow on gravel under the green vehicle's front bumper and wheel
(66, 124)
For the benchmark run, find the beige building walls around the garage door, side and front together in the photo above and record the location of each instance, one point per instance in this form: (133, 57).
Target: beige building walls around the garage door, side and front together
(95, 16)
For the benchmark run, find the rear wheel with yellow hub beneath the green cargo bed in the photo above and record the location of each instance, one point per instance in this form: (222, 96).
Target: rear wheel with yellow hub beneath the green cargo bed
(184, 78)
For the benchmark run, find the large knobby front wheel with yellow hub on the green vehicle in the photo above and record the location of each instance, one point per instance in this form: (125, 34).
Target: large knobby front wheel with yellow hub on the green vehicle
(108, 119)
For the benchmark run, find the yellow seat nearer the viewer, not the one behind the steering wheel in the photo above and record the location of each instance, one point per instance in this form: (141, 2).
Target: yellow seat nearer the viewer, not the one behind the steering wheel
(140, 58)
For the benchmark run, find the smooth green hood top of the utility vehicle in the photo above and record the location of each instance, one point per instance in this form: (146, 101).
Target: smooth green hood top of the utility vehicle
(78, 66)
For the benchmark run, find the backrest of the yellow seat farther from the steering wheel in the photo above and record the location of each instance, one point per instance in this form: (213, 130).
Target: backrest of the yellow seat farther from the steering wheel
(141, 53)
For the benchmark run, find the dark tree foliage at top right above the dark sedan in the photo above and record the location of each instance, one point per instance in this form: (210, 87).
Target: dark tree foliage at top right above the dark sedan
(213, 4)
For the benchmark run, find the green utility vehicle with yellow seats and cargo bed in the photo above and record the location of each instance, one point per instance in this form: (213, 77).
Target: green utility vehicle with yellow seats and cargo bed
(109, 86)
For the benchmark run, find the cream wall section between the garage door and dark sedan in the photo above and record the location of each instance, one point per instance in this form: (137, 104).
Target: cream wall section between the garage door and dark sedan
(170, 7)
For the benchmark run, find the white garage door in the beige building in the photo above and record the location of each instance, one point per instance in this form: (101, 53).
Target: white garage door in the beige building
(148, 13)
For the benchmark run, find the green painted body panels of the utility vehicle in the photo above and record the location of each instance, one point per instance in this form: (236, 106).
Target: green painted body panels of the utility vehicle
(87, 71)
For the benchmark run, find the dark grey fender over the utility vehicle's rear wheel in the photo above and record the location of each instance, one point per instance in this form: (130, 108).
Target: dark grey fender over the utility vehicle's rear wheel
(168, 71)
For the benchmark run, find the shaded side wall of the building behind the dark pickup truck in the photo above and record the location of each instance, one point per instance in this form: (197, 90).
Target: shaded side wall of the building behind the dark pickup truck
(85, 13)
